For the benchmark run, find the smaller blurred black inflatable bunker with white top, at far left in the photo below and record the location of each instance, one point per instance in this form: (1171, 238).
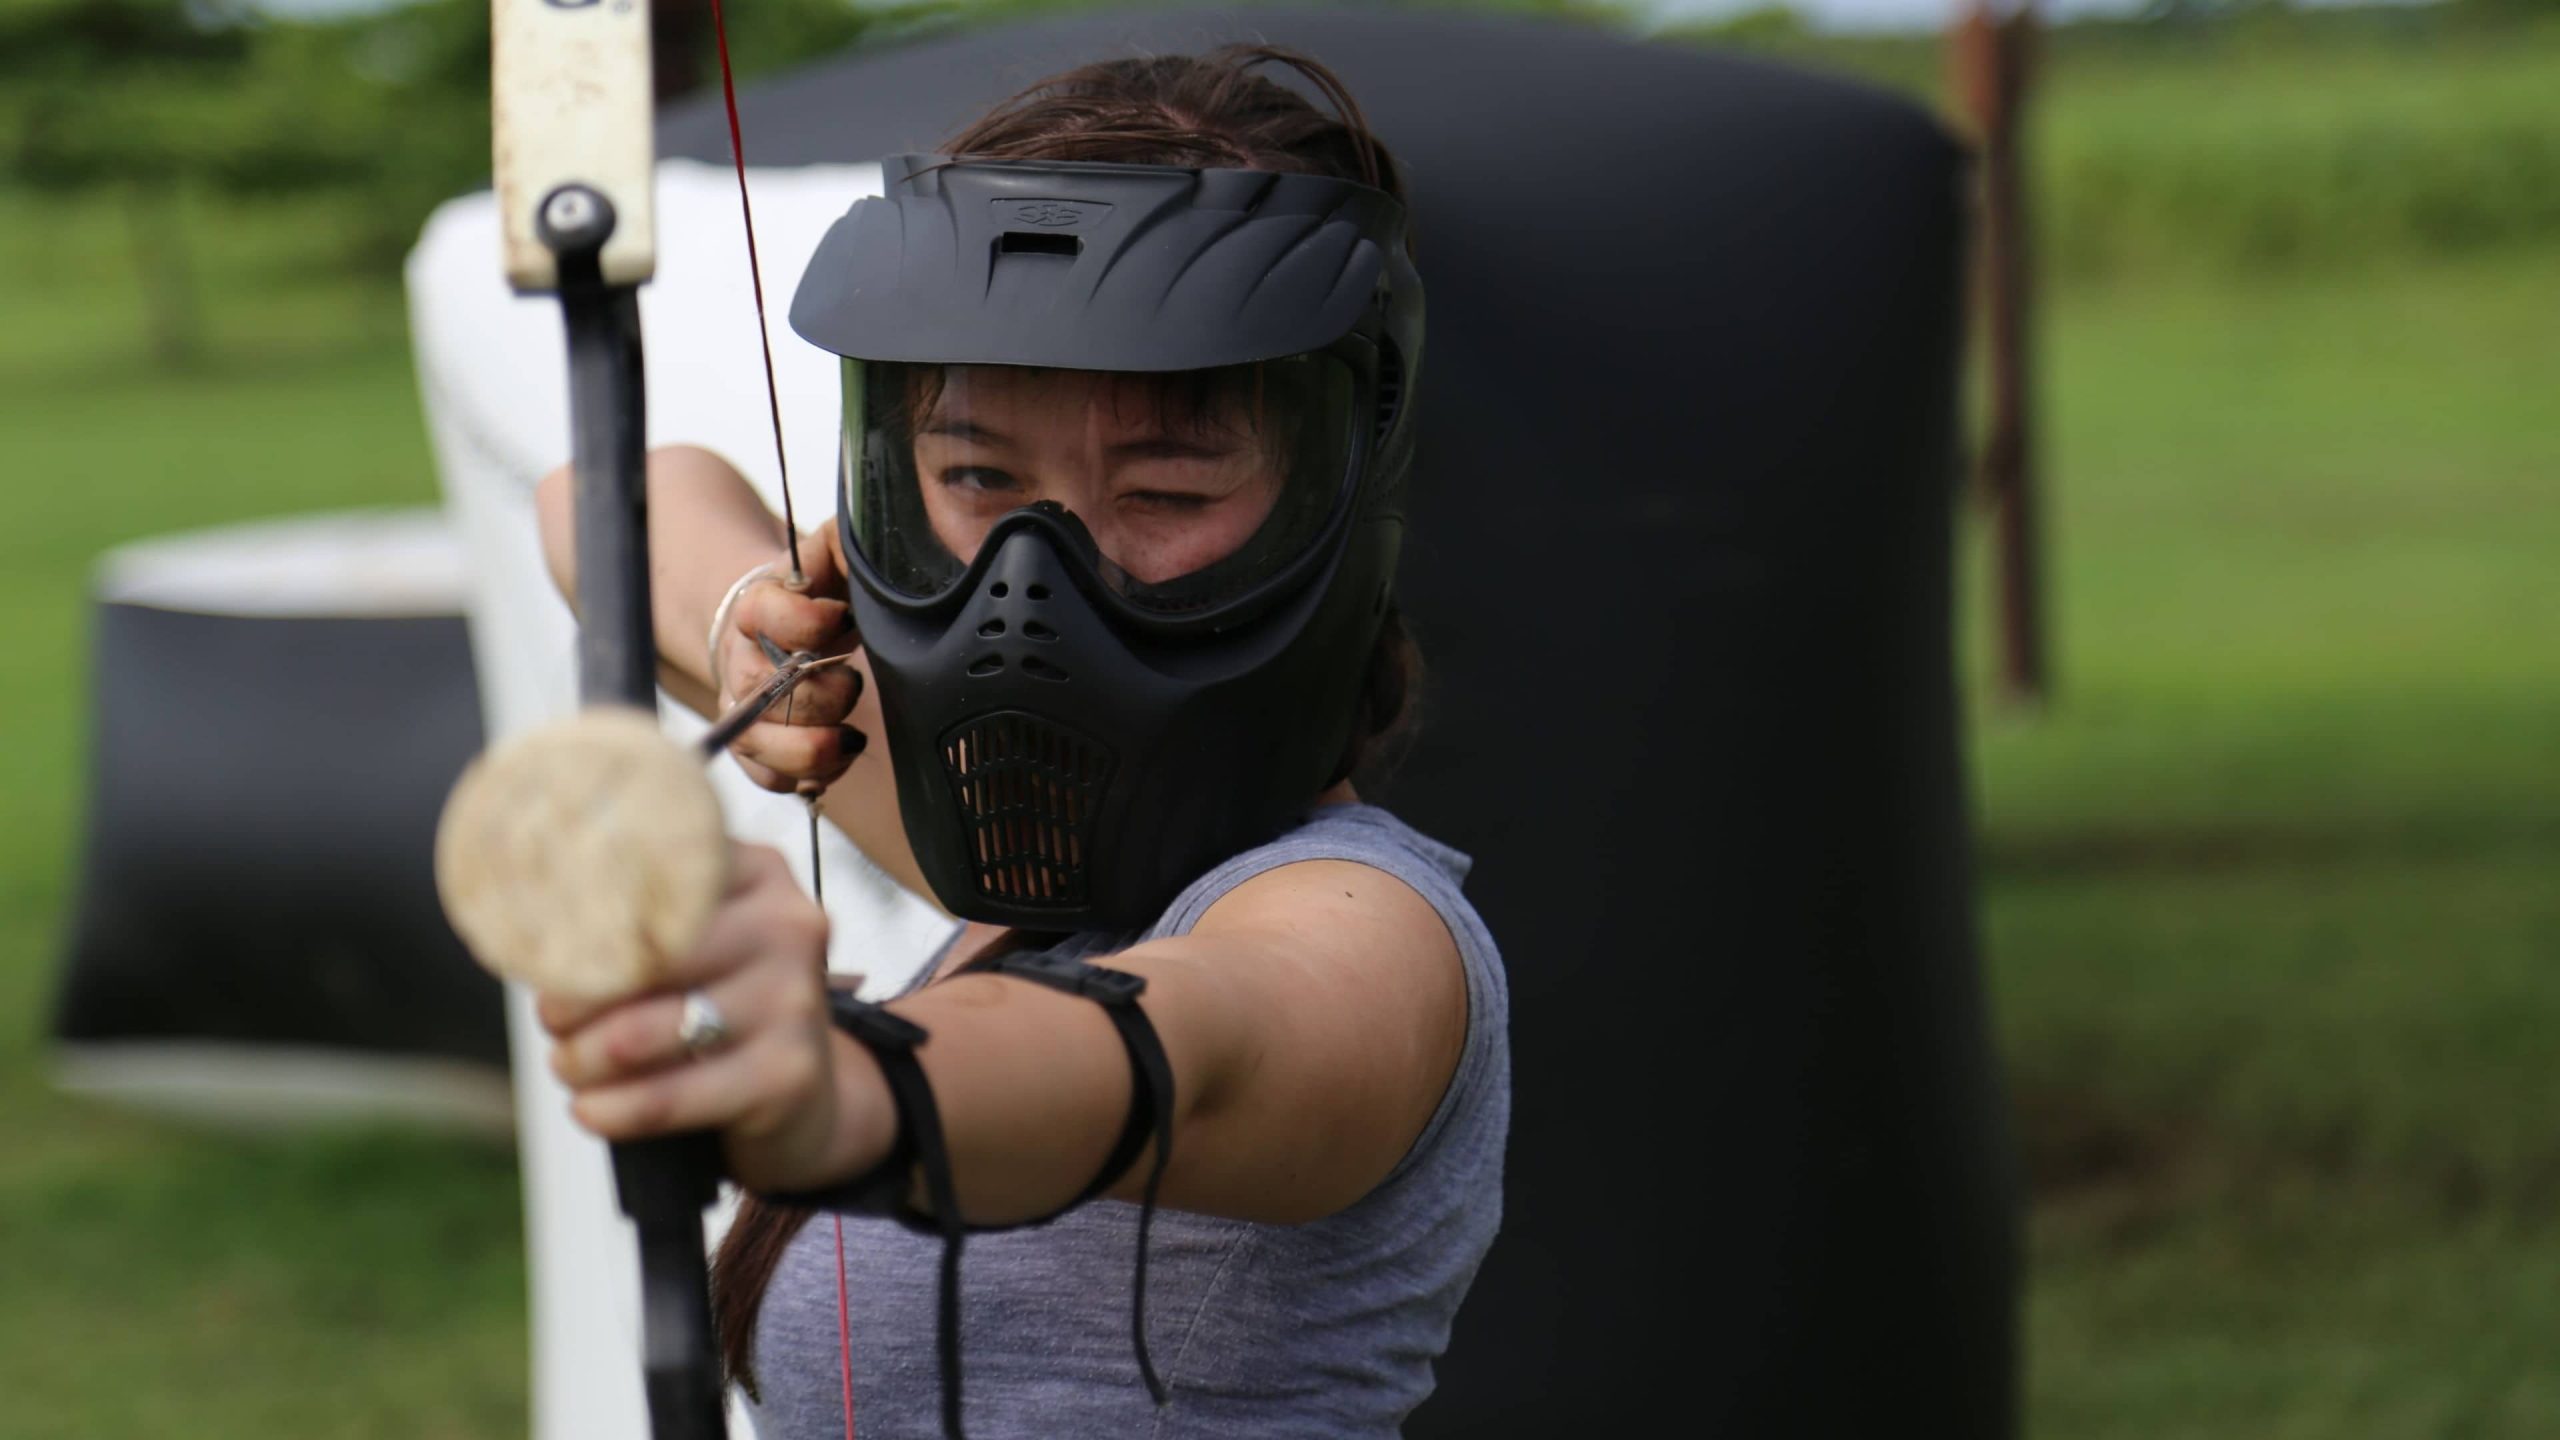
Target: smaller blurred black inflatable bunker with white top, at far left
(278, 716)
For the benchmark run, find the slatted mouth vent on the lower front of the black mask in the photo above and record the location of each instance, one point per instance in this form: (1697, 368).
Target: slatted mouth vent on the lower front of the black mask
(1028, 793)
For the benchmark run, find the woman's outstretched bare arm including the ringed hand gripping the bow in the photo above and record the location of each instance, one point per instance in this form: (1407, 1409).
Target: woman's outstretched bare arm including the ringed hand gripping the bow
(1315, 1021)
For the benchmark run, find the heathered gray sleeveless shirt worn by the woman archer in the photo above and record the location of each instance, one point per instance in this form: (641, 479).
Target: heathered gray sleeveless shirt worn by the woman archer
(1325, 1329)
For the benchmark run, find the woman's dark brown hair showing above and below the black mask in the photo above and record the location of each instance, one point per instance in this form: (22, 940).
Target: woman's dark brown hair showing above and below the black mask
(1197, 111)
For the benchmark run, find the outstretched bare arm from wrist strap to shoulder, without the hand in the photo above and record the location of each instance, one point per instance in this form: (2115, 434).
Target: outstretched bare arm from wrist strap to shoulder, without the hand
(1312, 1021)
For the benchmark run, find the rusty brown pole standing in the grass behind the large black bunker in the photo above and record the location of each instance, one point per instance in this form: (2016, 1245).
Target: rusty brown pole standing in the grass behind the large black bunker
(1990, 63)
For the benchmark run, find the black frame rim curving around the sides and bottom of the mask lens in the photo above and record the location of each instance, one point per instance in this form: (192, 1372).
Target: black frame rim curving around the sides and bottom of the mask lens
(1092, 570)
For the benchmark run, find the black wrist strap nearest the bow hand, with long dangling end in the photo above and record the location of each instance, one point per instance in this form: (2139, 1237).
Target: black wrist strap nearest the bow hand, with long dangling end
(892, 1039)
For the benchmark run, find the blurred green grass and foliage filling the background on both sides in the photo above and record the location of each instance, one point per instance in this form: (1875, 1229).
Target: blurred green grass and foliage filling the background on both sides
(2267, 901)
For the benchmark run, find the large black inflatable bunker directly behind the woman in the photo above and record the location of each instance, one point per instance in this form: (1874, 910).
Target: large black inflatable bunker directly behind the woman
(1681, 565)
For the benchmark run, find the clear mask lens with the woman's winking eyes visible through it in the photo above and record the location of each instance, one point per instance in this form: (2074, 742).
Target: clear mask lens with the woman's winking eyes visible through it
(1194, 486)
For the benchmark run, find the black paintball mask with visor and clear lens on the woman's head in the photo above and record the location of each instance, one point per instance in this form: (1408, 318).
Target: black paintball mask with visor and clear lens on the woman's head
(1120, 493)
